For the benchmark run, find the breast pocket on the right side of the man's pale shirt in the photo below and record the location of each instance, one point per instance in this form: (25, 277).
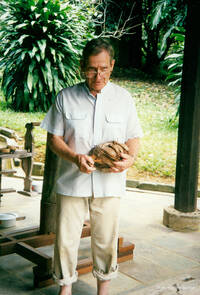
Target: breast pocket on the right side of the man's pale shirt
(114, 128)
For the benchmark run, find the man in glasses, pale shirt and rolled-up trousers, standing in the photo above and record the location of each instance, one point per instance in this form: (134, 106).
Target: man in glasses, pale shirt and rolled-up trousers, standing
(83, 116)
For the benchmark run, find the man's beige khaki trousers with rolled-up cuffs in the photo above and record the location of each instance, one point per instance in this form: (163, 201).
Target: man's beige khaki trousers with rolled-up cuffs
(104, 221)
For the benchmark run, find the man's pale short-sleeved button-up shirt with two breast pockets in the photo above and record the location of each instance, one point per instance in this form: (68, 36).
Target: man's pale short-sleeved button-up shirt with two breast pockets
(85, 121)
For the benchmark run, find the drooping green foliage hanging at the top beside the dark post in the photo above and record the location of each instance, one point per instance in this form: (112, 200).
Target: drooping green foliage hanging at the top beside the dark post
(160, 19)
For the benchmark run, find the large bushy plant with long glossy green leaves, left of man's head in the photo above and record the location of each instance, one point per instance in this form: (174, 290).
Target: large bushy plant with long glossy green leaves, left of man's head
(41, 42)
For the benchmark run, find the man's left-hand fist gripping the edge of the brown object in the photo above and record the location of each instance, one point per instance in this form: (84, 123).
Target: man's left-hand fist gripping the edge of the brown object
(85, 163)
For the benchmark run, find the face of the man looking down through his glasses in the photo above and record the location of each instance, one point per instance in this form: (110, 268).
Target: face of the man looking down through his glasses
(98, 70)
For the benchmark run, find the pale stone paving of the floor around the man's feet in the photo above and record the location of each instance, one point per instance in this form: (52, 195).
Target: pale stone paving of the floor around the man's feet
(165, 262)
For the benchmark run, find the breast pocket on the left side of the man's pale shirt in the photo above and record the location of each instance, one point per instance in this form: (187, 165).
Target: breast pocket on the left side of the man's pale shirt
(76, 124)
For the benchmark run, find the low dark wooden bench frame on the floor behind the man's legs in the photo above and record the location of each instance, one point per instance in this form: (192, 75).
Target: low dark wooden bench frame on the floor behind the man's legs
(26, 242)
